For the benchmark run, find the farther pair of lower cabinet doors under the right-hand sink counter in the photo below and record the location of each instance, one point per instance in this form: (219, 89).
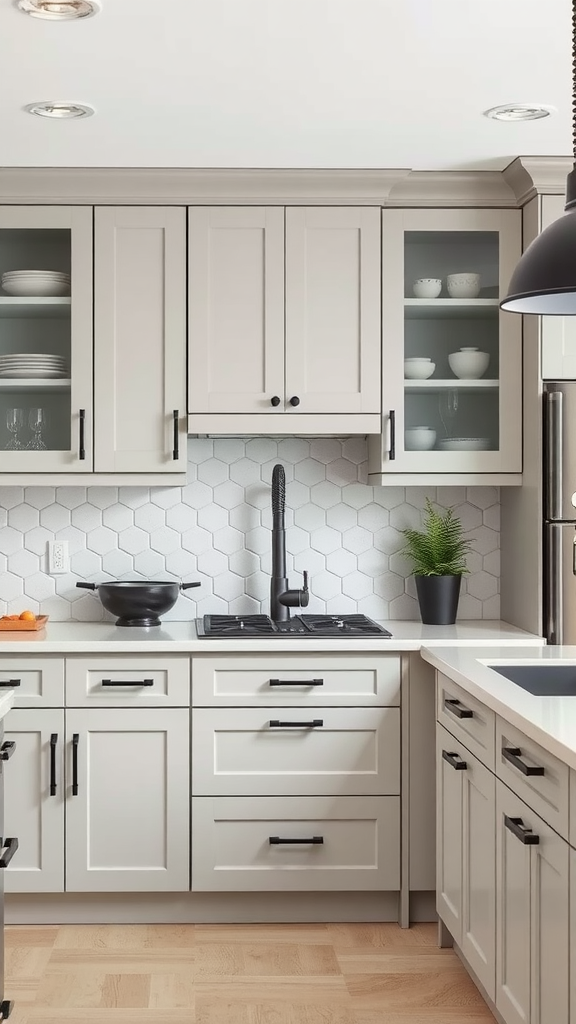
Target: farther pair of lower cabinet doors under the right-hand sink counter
(466, 855)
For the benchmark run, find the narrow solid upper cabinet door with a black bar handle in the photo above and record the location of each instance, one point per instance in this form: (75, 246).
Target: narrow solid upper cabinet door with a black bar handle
(140, 351)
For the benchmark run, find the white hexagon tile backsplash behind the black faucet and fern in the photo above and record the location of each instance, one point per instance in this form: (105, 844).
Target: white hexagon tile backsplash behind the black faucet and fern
(218, 530)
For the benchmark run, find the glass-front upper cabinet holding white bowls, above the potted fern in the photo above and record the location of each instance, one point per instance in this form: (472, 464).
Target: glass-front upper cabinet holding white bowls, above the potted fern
(452, 361)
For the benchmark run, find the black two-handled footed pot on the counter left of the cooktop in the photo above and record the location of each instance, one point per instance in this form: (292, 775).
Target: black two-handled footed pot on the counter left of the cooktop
(138, 604)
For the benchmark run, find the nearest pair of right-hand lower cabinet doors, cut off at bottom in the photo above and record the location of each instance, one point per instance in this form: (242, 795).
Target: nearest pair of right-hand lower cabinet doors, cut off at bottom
(532, 902)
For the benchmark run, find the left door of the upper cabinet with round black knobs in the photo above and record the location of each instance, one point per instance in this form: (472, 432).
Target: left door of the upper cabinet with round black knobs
(236, 310)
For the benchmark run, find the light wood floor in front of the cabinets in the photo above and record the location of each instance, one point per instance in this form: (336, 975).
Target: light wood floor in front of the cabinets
(241, 974)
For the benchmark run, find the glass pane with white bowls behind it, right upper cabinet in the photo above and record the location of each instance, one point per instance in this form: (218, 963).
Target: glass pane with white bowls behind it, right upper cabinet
(451, 342)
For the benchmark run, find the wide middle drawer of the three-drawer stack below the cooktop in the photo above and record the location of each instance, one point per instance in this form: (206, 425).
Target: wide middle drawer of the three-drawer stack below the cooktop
(290, 751)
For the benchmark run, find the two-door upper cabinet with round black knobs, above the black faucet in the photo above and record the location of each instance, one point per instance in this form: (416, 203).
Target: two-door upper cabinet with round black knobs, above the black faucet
(284, 310)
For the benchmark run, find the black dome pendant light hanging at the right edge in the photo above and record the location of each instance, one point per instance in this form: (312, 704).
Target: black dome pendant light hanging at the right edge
(545, 281)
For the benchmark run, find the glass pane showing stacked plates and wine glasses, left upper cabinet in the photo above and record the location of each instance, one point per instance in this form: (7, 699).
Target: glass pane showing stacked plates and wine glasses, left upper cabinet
(35, 340)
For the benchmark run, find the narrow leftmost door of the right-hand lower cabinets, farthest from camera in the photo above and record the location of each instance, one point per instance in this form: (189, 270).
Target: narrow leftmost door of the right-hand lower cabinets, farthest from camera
(451, 765)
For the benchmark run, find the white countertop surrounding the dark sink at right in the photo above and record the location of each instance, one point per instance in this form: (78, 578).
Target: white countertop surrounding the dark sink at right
(549, 721)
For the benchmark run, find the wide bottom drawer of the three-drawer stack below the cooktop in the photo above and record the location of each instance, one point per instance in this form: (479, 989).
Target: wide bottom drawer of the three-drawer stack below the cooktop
(296, 844)
